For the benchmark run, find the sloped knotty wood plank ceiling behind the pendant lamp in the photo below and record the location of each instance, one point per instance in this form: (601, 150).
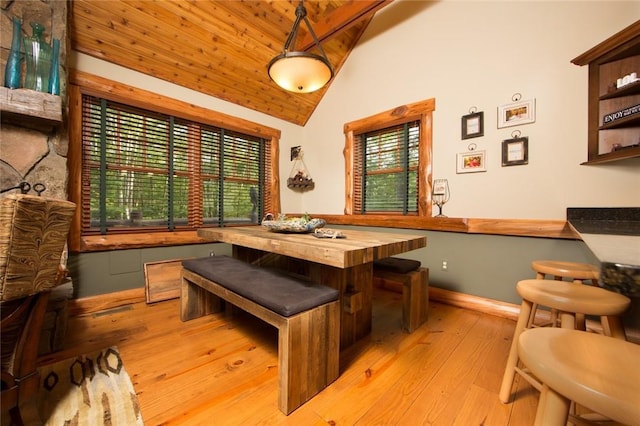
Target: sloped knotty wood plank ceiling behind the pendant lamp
(220, 48)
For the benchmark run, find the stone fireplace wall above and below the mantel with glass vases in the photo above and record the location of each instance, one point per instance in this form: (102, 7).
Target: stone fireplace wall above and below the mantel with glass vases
(29, 155)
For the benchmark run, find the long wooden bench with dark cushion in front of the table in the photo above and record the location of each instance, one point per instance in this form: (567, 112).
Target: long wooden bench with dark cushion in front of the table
(307, 316)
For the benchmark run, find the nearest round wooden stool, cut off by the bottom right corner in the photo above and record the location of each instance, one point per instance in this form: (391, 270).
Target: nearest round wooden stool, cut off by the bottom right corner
(604, 378)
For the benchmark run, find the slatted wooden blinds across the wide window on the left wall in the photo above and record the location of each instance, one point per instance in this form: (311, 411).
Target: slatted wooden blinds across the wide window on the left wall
(148, 171)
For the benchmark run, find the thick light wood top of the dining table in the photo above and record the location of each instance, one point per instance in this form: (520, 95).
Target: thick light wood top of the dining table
(357, 248)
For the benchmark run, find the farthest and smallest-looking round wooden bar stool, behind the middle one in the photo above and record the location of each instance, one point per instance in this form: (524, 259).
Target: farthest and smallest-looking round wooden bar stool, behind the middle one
(579, 273)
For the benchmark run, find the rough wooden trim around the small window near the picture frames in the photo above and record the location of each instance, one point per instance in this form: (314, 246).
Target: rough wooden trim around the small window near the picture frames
(422, 111)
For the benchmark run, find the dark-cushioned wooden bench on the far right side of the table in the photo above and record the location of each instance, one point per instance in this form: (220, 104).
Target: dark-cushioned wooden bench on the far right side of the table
(405, 276)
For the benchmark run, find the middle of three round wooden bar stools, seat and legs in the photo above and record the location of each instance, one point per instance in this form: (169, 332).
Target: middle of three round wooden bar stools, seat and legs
(568, 299)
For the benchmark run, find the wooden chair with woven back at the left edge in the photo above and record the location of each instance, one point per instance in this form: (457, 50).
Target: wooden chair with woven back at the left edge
(33, 233)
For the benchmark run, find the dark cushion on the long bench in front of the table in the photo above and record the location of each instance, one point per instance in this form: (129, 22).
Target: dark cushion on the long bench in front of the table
(270, 288)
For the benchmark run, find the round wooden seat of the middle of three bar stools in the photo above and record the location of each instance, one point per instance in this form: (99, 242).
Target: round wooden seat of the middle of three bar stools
(569, 297)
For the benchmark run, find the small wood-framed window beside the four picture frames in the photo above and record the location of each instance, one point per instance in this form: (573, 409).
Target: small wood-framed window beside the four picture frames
(388, 160)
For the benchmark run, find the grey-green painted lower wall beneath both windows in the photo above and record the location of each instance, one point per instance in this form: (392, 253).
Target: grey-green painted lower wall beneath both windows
(481, 265)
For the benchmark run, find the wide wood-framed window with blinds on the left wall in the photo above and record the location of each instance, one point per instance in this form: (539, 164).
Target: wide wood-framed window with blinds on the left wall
(163, 171)
